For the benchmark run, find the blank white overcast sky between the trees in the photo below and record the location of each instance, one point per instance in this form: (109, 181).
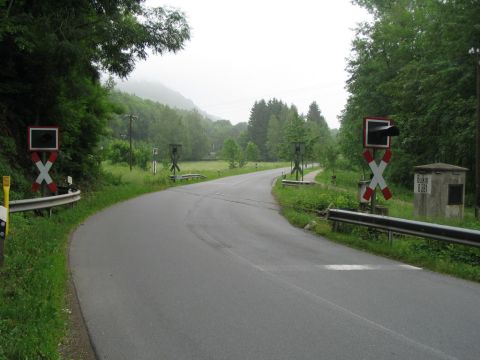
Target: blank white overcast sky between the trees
(243, 51)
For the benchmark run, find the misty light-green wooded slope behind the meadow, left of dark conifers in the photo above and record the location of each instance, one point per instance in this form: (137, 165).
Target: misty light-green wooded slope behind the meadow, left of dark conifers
(157, 125)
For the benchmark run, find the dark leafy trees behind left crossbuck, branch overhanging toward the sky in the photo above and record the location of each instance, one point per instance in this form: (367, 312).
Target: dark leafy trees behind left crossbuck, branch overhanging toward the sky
(52, 55)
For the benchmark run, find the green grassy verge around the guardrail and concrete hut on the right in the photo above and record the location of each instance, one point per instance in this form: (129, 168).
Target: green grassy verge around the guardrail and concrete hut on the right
(301, 206)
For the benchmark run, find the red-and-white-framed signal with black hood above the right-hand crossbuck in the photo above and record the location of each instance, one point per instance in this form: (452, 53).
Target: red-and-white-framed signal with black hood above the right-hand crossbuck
(377, 132)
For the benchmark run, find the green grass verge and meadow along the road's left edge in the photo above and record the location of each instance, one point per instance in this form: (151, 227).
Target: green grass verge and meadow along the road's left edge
(33, 281)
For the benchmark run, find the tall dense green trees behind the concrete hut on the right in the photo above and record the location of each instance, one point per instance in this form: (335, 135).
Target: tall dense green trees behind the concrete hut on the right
(413, 63)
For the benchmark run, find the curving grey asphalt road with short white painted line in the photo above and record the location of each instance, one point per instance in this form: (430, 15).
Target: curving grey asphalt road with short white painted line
(213, 271)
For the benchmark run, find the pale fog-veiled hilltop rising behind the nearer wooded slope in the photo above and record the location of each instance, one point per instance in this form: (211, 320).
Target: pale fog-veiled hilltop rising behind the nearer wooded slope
(160, 93)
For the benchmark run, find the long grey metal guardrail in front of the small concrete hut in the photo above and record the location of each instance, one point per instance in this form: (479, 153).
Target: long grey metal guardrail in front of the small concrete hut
(410, 227)
